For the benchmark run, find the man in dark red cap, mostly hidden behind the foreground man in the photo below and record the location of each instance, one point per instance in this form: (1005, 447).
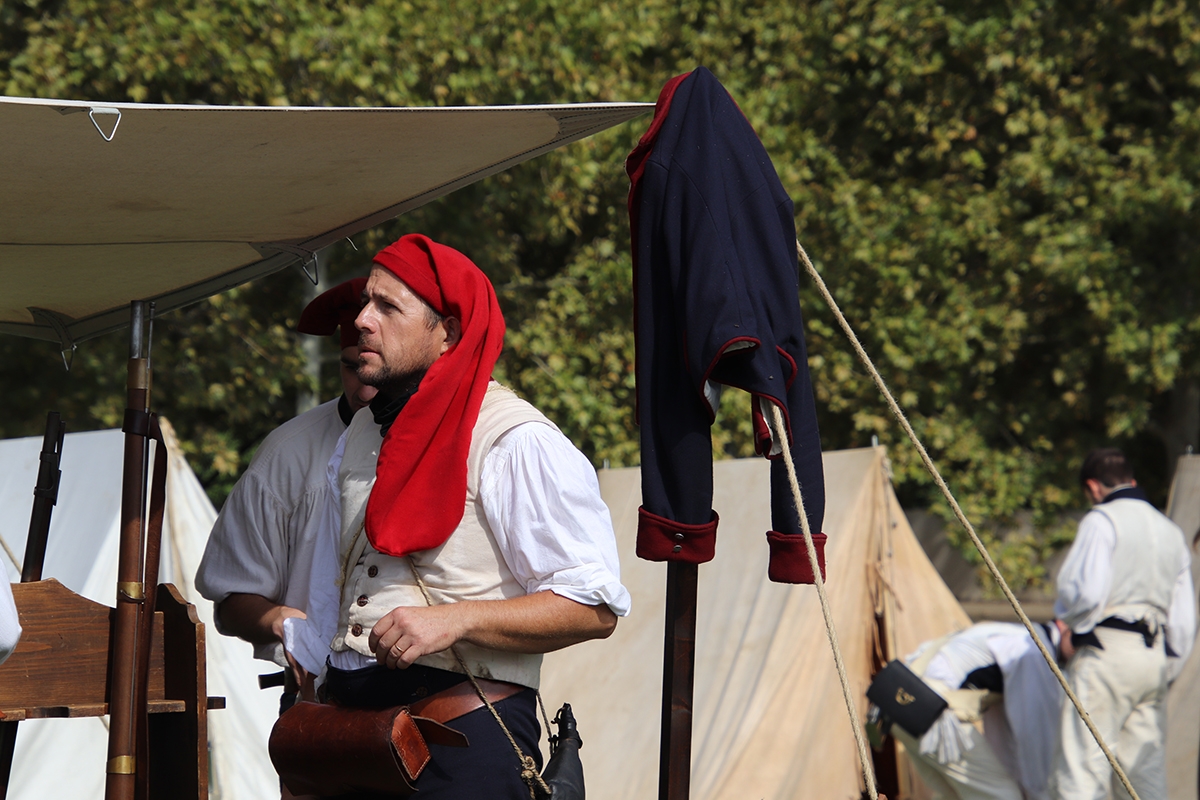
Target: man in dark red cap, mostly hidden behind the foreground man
(259, 558)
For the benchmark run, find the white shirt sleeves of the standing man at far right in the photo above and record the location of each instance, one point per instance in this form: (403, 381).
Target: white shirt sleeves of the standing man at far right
(1087, 578)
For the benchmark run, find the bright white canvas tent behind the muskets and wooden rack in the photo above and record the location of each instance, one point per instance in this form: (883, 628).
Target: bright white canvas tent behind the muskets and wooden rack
(65, 759)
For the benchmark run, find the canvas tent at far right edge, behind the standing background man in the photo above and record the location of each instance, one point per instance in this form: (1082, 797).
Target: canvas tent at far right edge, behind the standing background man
(1184, 701)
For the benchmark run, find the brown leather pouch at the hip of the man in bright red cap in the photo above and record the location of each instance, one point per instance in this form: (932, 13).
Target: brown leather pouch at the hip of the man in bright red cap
(328, 750)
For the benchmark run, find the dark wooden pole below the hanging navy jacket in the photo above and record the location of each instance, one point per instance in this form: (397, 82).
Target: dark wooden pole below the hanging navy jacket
(679, 673)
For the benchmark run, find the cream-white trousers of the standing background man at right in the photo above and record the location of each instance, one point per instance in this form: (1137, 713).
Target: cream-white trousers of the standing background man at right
(1124, 689)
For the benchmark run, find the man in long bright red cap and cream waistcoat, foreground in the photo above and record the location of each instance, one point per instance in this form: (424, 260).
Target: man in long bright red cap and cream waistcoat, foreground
(455, 483)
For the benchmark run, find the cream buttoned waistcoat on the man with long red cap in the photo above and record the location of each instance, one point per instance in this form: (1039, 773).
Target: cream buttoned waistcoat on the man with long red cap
(467, 567)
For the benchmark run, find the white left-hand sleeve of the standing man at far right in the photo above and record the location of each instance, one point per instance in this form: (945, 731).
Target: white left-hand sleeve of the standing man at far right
(1087, 576)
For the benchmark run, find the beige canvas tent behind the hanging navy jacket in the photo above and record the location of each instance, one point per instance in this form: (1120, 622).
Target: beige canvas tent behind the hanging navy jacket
(769, 719)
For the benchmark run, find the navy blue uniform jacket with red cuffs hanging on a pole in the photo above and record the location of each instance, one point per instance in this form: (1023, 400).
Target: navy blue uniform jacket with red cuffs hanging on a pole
(717, 282)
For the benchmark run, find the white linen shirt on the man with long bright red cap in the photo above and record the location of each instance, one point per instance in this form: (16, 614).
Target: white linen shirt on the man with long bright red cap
(543, 503)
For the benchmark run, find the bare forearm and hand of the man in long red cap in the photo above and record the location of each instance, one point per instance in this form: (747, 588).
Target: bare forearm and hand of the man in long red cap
(537, 623)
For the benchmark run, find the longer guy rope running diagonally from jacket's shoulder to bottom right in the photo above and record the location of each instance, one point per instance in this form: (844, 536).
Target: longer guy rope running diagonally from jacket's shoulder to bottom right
(958, 513)
